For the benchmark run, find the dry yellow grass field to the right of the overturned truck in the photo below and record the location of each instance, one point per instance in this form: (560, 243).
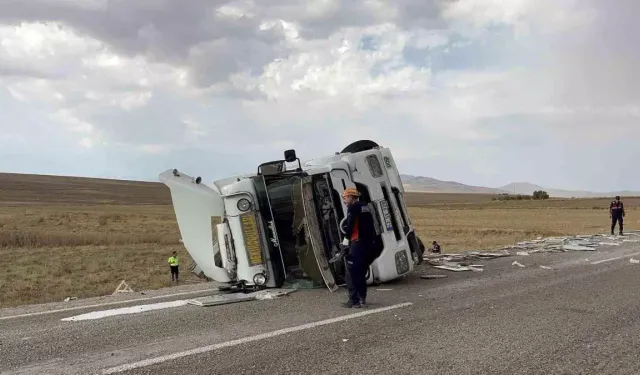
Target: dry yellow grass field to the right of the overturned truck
(473, 221)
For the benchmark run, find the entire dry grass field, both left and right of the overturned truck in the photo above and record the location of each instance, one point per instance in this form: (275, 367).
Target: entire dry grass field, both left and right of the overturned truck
(76, 237)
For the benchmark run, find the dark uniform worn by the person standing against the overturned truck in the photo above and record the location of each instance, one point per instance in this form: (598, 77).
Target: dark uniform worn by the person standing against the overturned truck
(360, 231)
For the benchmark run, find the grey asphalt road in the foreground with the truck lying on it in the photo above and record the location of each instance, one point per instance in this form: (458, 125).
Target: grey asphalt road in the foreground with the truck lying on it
(581, 317)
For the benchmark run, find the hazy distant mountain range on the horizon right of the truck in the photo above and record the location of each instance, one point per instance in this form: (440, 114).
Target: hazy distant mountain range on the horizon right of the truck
(432, 185)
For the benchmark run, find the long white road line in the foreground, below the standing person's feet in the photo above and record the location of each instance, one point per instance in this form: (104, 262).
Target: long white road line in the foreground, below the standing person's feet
(244, 340)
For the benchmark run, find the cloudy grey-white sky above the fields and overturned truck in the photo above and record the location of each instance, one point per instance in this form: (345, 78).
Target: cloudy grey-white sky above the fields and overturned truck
(482, 92)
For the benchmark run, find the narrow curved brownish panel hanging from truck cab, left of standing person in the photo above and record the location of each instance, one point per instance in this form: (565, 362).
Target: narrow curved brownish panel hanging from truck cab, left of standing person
(313, 230)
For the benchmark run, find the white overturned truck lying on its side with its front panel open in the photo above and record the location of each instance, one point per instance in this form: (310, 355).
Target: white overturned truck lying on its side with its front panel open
(285, 222)
